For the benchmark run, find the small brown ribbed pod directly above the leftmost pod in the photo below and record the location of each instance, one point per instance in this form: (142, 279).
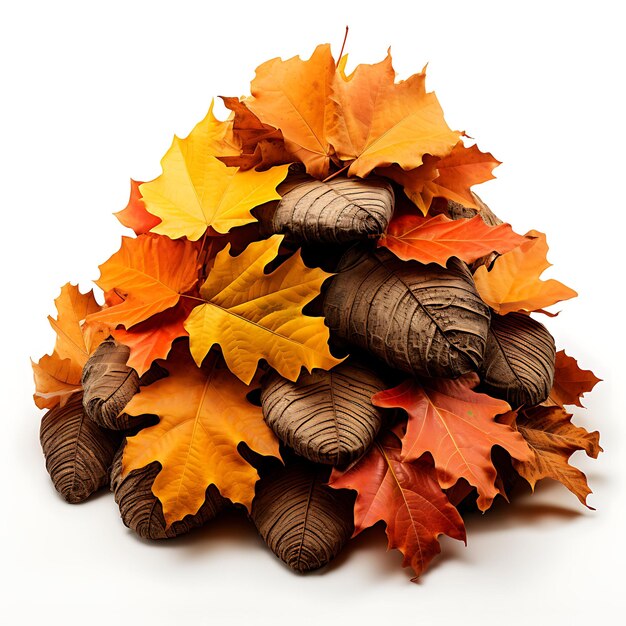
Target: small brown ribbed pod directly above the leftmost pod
(108, 385)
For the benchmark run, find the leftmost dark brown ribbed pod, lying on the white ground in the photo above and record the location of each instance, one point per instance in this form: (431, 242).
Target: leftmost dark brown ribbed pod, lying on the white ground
(78, 452)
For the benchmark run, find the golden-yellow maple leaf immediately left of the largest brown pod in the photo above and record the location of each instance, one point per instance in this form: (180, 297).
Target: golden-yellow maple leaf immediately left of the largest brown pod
(253, 315)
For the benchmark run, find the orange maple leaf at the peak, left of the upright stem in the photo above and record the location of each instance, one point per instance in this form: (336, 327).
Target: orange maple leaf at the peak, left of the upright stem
(294, 96)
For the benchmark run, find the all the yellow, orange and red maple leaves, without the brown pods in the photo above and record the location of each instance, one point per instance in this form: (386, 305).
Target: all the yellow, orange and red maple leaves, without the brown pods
(179, 278)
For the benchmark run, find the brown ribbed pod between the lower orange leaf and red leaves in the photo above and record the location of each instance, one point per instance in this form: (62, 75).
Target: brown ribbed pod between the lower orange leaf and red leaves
(326, 416)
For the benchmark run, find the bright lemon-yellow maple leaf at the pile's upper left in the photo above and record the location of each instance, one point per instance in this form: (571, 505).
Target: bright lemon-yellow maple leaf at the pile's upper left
(196, 190)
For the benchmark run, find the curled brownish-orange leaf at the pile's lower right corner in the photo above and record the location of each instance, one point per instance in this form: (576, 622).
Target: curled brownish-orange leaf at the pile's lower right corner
(553, 439)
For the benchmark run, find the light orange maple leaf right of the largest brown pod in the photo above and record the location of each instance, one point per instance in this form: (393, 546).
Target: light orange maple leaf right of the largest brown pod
(513, 283)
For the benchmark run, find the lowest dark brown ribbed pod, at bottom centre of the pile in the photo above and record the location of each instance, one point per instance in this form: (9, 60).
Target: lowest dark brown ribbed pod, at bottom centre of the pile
(302, 520)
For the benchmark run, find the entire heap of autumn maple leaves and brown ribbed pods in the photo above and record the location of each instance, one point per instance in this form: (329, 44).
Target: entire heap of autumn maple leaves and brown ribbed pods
(322, 244)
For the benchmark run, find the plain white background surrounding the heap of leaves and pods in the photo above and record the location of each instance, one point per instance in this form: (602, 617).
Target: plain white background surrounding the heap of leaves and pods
(92, 93)
